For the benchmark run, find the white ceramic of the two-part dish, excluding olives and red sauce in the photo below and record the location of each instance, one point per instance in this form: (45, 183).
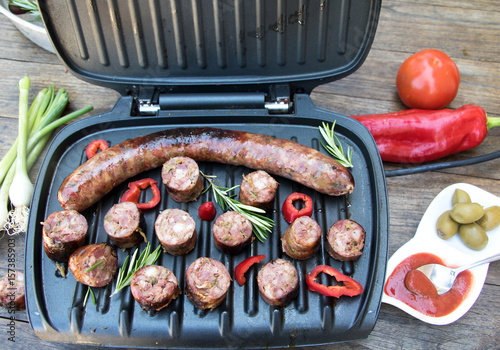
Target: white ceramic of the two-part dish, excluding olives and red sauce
(453, 251)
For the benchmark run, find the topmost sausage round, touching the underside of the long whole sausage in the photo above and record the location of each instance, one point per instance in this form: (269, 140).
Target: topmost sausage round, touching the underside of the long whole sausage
(182, 178)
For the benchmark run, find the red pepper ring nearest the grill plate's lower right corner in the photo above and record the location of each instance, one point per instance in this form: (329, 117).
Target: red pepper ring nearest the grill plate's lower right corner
(348, 286)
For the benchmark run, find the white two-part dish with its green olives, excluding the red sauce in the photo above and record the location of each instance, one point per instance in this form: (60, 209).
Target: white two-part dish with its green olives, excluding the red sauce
(460, 226)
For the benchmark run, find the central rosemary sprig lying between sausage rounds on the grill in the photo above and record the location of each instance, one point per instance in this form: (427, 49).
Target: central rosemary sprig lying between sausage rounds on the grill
(260, 223)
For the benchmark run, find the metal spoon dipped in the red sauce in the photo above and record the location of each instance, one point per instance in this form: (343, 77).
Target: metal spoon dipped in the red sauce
(443, 277)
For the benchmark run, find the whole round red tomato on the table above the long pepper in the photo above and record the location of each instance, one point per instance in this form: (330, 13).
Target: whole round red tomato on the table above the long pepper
(428, 79)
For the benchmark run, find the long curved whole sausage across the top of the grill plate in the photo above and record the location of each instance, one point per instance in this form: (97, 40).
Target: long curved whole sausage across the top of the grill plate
(101, 173)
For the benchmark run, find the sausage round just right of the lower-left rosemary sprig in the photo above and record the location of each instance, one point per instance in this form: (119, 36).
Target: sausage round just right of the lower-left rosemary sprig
(154, 287)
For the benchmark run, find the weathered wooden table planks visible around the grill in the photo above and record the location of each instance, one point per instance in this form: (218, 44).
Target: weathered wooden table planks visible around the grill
(469, 31)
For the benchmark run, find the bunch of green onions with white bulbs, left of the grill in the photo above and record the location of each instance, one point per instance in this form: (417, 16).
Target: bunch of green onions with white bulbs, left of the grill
(36, 125)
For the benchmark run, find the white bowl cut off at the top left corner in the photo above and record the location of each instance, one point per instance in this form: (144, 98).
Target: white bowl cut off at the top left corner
(34, 31)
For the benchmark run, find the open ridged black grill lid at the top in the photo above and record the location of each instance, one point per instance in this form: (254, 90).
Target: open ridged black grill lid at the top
(211, 46)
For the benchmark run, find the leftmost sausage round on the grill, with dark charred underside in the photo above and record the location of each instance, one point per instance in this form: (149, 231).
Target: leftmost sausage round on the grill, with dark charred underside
(63, 232)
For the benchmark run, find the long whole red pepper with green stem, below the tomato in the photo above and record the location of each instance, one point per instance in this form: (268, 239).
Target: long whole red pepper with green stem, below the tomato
(417, 135)
